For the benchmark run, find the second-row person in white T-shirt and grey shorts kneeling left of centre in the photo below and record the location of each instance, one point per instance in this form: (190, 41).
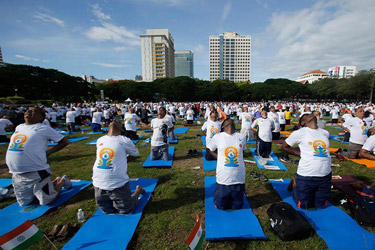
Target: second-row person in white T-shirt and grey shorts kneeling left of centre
(159, 139)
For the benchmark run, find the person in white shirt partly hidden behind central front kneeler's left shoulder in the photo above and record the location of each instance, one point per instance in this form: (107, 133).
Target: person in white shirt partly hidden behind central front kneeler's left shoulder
(212, 127)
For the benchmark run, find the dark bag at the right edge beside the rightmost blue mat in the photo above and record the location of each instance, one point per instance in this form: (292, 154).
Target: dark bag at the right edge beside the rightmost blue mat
(362, 209)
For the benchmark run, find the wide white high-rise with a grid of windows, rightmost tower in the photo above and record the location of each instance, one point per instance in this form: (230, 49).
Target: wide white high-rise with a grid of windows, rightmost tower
(230, 57)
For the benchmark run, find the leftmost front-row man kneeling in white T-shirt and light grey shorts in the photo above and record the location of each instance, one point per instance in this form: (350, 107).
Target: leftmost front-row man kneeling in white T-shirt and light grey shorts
(27, 160)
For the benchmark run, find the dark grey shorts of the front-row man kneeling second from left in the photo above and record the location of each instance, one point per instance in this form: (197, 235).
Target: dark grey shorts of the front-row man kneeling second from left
(118, 200)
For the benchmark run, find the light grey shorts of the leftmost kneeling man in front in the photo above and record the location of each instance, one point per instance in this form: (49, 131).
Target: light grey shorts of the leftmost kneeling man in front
(32, 186)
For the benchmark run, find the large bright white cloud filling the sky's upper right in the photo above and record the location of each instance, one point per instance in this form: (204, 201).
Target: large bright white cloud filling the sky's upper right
(327, 34)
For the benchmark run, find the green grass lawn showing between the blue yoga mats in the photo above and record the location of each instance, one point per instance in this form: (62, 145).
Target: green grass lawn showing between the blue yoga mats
(169, 216)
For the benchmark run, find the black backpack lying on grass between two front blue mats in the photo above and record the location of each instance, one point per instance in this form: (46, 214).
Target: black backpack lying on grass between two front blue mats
(287, 223)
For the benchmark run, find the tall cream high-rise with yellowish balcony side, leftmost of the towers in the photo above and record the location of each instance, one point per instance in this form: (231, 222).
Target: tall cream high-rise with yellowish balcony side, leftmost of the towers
(157, 54)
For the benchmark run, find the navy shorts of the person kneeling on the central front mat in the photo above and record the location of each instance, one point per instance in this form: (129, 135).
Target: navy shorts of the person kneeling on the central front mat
(229, 196)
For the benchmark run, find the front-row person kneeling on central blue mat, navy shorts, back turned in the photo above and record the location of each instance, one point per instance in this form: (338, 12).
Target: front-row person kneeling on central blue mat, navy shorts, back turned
(230, 168)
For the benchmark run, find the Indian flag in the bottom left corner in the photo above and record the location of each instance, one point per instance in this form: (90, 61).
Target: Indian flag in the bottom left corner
(21, 237)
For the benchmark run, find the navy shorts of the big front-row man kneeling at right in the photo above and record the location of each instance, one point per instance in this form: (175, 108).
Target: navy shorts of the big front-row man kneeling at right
(312, 192)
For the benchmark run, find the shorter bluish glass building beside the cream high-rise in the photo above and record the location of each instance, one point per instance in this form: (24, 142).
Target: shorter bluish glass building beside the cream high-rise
(184, 63)
